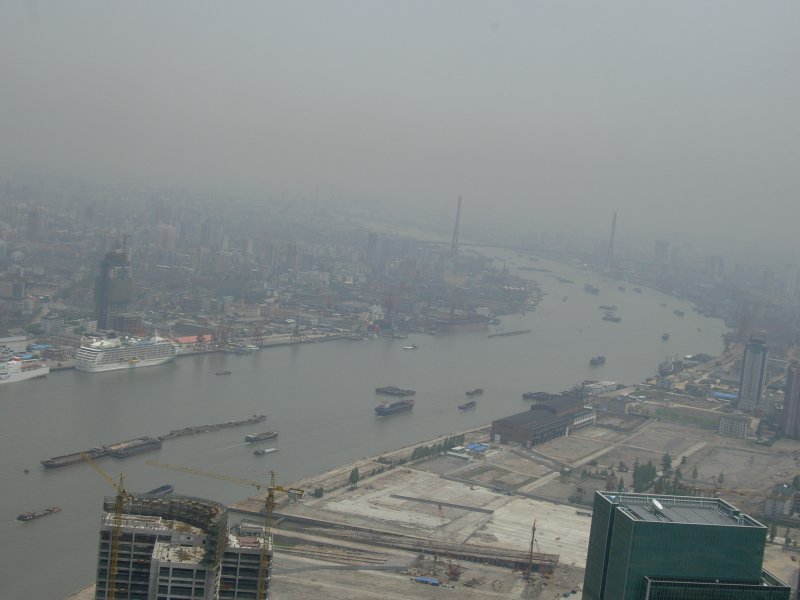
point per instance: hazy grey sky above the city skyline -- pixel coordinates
(681, 115)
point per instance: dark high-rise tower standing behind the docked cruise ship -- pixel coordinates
(113, 286)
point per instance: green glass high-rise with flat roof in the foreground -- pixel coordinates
(649, 547)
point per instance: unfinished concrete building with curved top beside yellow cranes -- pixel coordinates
(170, 547)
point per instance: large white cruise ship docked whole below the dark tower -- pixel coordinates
(124, 353)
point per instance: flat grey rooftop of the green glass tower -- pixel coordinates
(680, 509)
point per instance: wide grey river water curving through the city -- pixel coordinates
(319, 396)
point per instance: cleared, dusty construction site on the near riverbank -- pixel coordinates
(500, 521)
